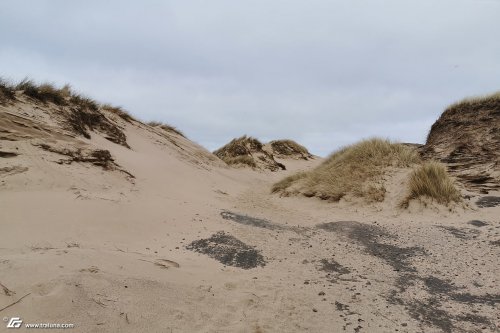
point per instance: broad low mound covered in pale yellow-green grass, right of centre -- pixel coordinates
(355, 170)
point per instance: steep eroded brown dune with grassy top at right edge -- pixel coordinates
(467, 137)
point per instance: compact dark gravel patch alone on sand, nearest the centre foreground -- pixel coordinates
(228, 250)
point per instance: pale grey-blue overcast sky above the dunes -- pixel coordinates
(325, 73)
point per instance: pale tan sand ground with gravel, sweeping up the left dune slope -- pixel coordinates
(166, 238)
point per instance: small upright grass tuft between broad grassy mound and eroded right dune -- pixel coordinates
(431, 180)
